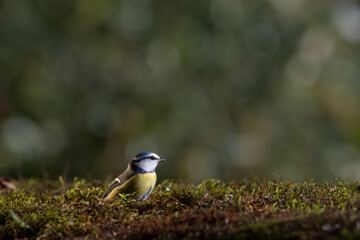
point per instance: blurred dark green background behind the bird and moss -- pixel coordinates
(221, 88)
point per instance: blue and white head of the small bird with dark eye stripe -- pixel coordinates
(145, 162)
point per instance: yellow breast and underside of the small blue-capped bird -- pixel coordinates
(141, 185)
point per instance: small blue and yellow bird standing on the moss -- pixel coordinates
(139, 178)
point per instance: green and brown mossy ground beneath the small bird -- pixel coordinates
(256, 209)
